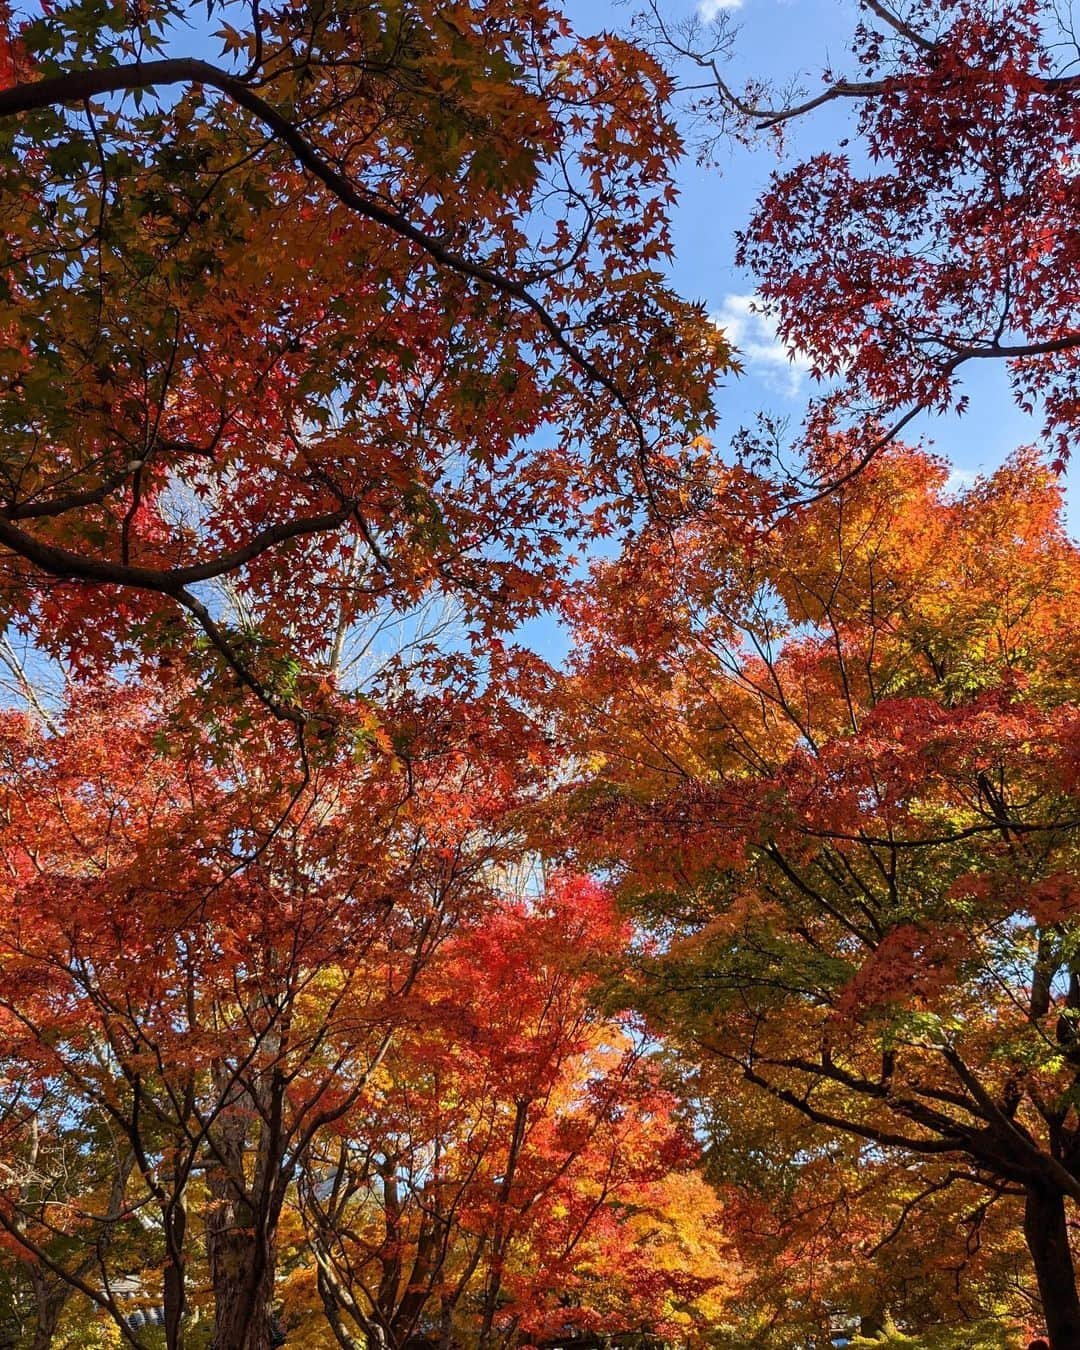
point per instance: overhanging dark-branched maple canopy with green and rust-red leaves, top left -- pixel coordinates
(369, 308)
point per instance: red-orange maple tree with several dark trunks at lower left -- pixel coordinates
(215, 988)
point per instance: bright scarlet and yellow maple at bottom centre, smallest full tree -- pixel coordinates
(516, 1171)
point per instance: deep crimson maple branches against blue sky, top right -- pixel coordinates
(940, 234)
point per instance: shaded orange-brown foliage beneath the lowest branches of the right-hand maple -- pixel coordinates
(836, 1240)
